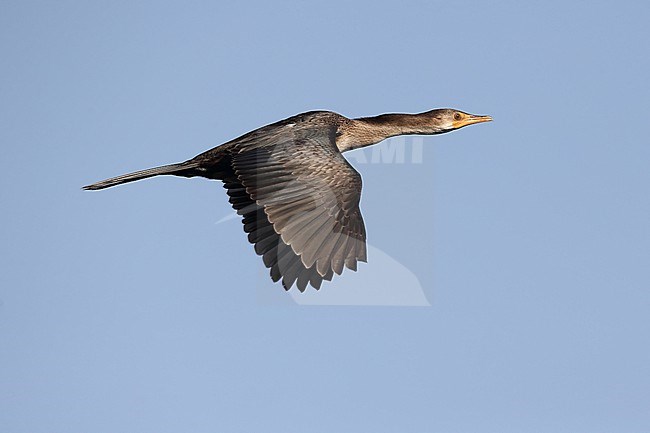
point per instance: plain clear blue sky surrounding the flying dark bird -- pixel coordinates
(133, 310)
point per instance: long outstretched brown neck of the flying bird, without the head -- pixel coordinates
(366, 131)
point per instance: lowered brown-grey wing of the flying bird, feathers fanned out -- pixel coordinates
(299, 199)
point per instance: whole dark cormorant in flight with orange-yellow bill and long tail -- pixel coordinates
(296, 193)
